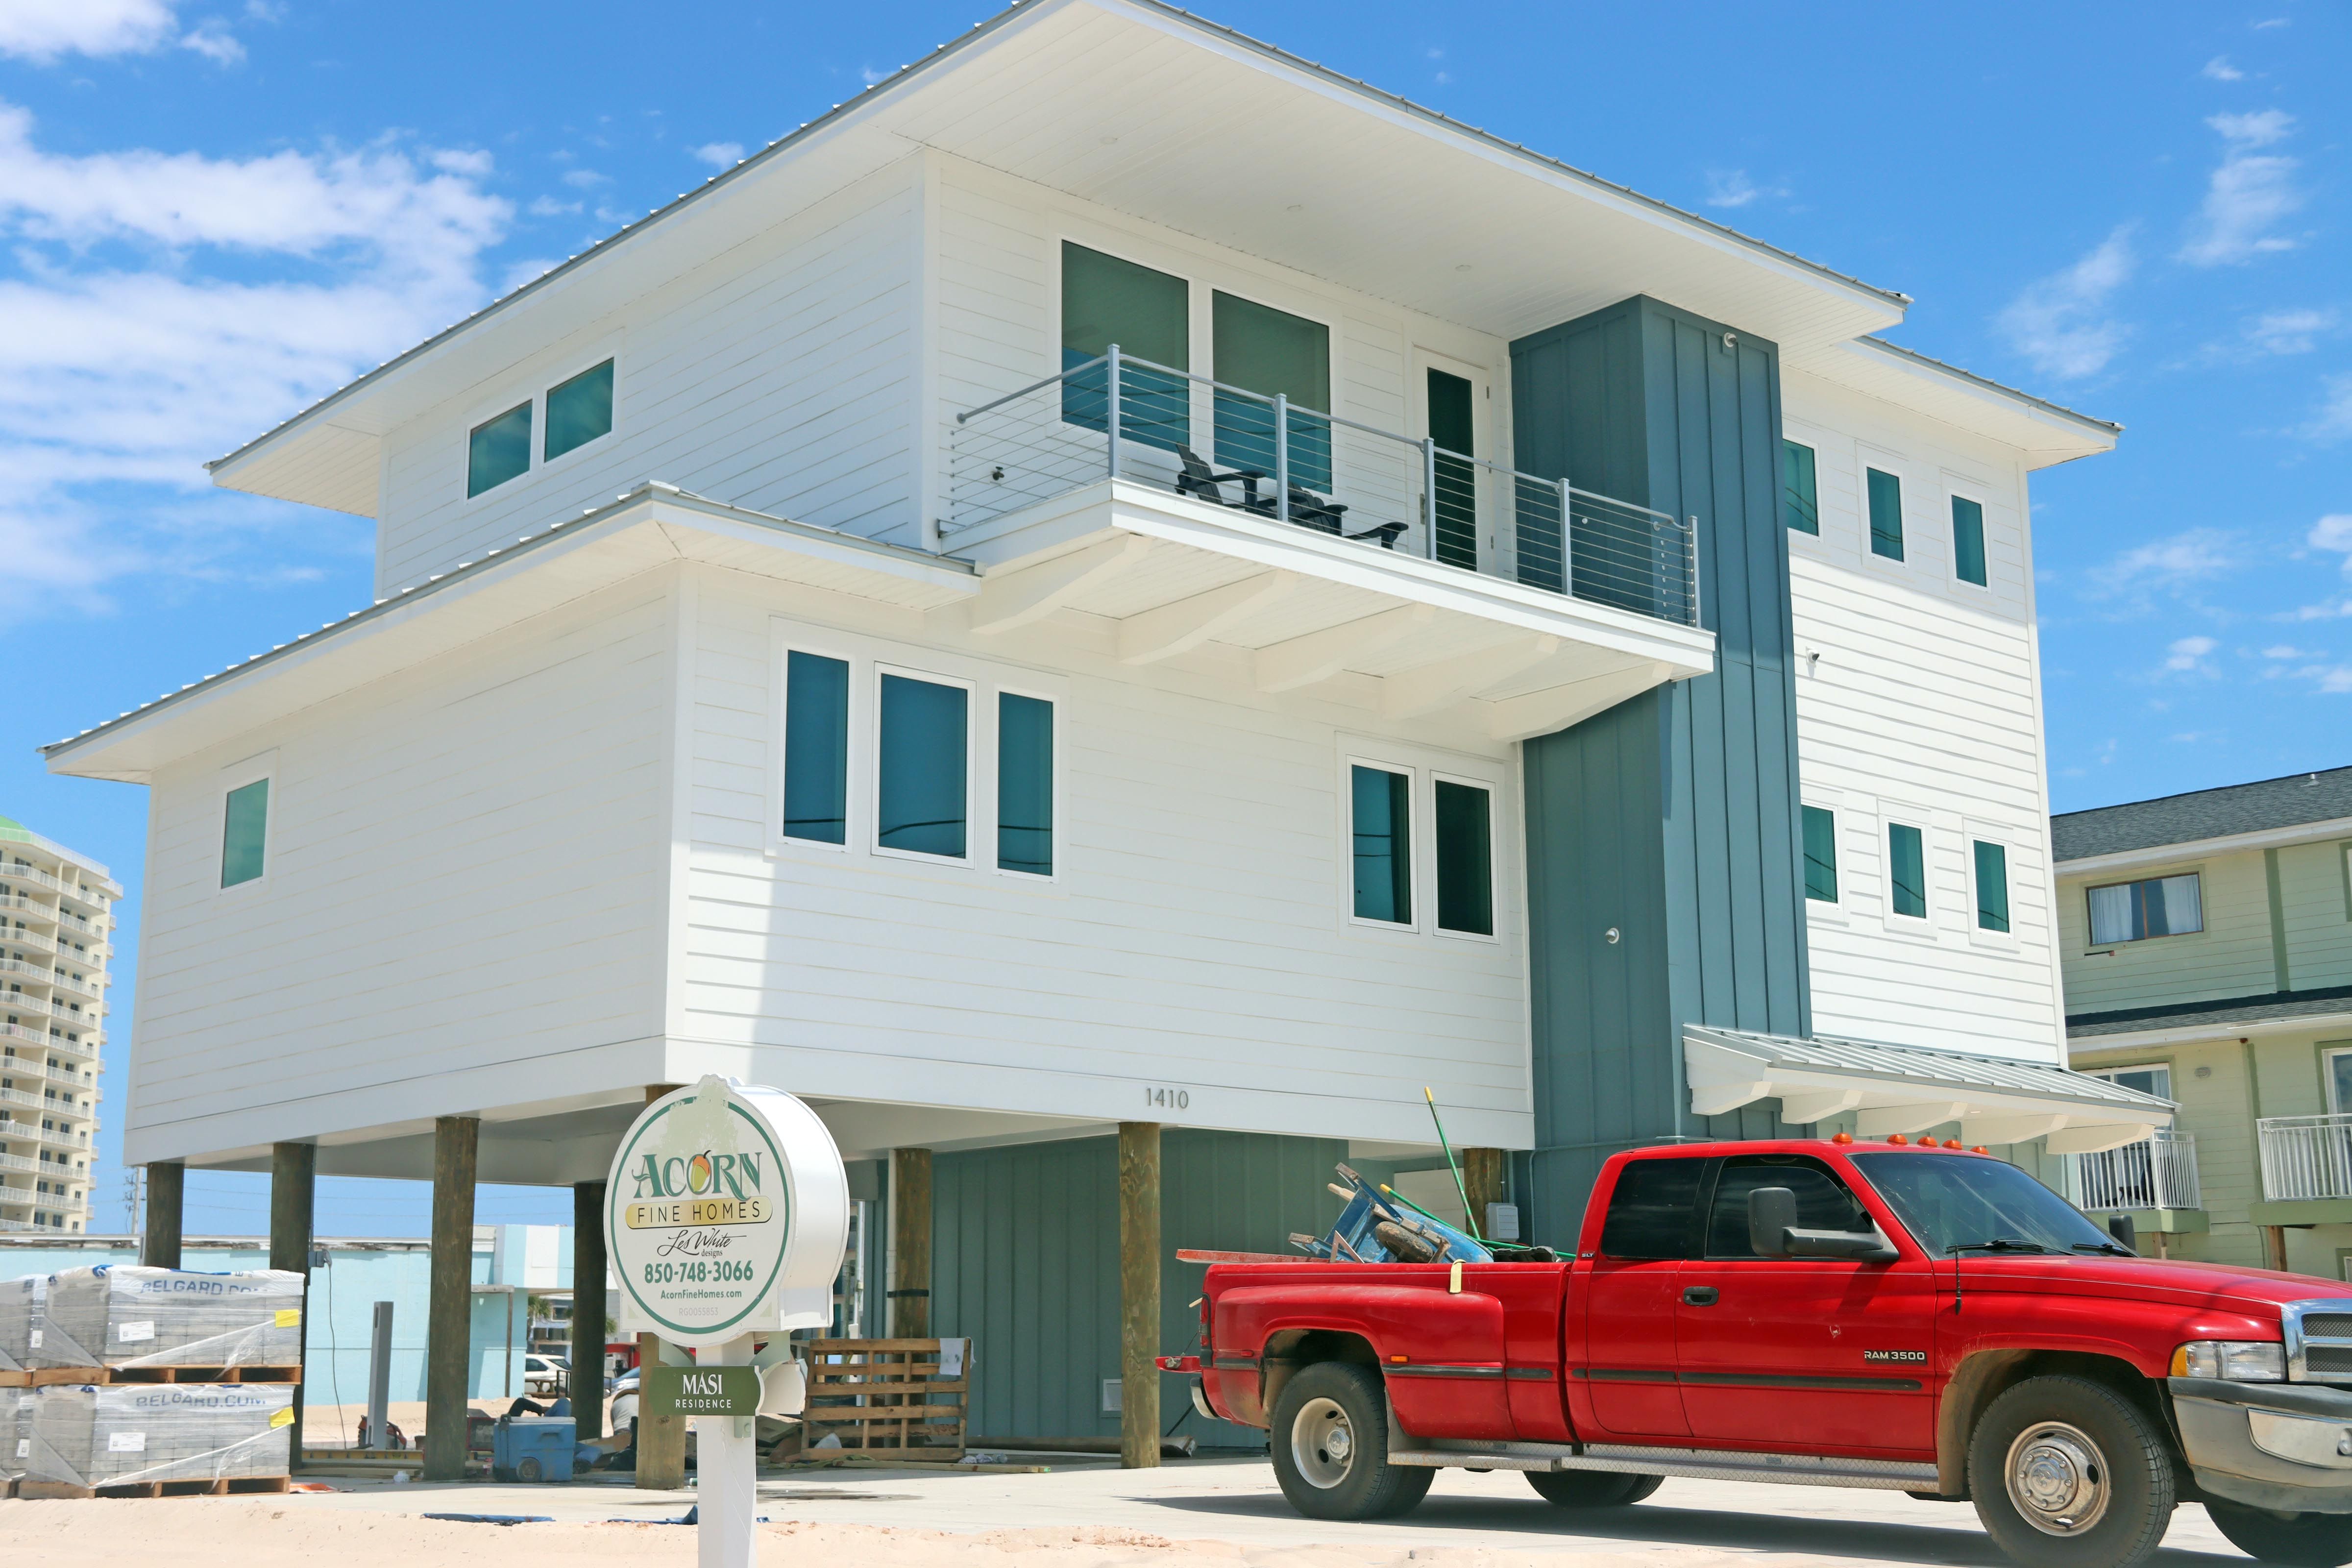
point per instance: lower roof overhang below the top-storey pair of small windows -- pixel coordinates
(636, 532)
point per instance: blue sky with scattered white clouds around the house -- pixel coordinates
(218, 213)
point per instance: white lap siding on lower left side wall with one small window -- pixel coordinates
(465, 871)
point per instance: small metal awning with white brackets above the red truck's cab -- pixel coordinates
(1906, 1090)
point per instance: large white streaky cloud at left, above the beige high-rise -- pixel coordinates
(166, 307)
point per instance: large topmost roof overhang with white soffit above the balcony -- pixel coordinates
(1144, 109)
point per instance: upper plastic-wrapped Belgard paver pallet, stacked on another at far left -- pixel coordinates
(131, 1315)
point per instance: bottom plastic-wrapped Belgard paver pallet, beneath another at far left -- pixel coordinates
(81, 1435)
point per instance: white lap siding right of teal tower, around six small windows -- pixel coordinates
(1923, 709)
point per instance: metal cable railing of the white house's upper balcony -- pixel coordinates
(1224, 445)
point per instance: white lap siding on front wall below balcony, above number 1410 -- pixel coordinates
(1196, 932)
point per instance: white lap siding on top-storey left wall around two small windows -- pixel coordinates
(775, 377)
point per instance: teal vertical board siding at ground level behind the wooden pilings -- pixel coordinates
(1027, 1261)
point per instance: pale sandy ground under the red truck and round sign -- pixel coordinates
(1196, 1515)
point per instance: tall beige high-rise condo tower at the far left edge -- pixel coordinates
(55, 939)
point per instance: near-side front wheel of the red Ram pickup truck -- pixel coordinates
(2071, 1475)
